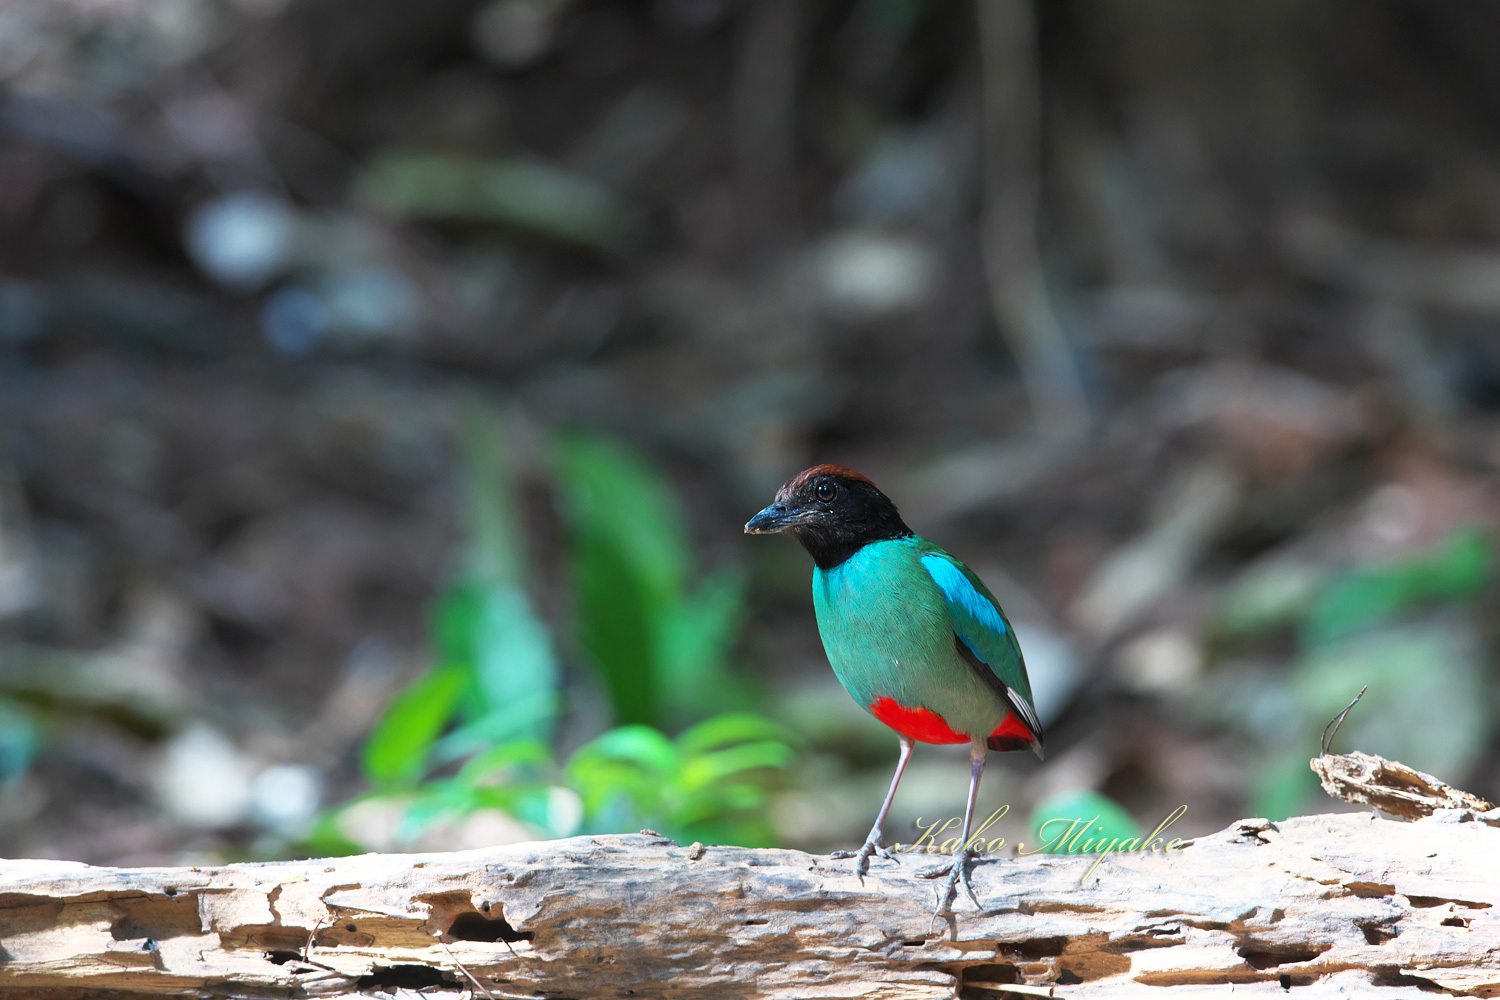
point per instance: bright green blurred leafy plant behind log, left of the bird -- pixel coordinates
(476, 731)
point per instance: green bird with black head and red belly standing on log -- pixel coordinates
(913, 635)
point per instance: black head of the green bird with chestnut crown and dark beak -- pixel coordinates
(833, 512)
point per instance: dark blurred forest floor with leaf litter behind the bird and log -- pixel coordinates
(1177, 322)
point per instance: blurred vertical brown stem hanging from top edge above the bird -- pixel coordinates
(1012, 154)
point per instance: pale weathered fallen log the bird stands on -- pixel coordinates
(1348, 905)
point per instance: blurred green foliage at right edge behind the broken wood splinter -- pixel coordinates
(1403, 627)
